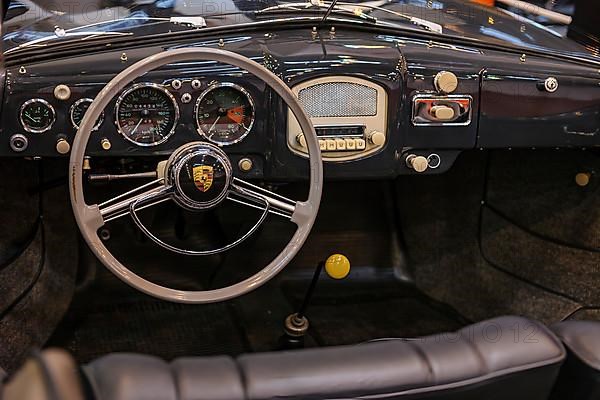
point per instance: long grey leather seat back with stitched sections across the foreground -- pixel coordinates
(503, 358)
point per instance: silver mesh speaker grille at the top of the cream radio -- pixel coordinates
(339, 99)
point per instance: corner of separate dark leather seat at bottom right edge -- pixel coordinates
(579, 377)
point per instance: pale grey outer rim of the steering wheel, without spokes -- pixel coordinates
(88, 217)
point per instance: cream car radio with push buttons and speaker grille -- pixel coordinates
(349, 115)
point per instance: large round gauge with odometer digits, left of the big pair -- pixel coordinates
(146, 114)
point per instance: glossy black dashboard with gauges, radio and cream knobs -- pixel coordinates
(381, 105)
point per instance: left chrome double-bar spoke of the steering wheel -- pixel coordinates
(144, 196)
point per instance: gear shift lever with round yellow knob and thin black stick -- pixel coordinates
(337, 266)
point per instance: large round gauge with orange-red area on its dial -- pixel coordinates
(224, 113)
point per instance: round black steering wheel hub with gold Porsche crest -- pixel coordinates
(200, 174)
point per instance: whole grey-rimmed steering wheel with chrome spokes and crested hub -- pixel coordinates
(197, 176)
